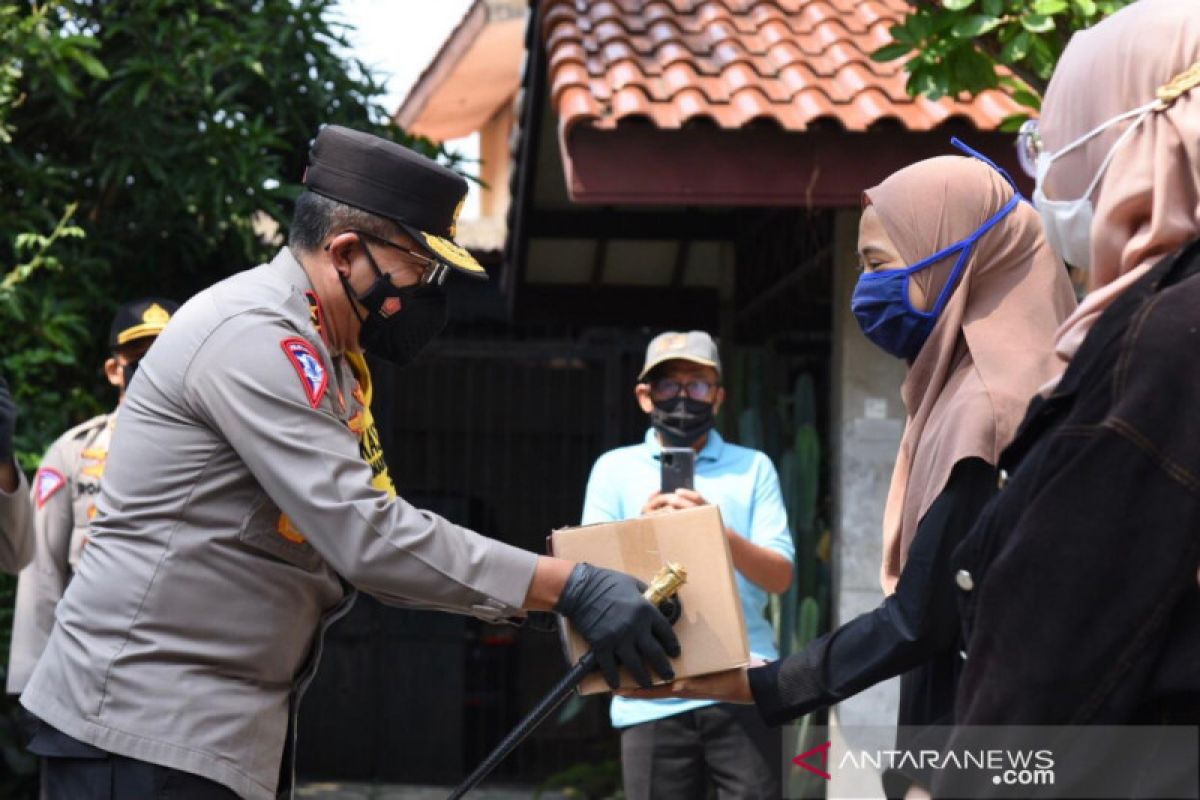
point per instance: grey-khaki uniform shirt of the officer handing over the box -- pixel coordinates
(237, 507)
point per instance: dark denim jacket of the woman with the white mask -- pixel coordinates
(1079, 584)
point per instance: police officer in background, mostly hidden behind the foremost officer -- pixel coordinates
(67, 488)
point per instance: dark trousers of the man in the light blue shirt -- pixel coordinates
(682, 757)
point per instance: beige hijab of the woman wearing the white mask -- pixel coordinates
(1148, 203)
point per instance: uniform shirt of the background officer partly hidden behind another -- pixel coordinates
(64, 503)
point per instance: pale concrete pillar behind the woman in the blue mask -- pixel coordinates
(868, 420)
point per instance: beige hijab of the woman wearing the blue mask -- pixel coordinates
(969, 387)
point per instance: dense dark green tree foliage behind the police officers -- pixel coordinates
(145, 143)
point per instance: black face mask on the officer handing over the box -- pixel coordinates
(398, 334)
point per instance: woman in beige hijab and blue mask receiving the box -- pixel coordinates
(959, 281)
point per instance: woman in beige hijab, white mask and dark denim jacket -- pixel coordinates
(1087, 606)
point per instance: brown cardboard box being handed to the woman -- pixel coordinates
(712, 631)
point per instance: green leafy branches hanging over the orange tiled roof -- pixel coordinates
(969, 46)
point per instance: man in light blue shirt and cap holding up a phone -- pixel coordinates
(676, 748)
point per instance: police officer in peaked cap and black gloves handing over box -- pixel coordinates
(245, 500)
